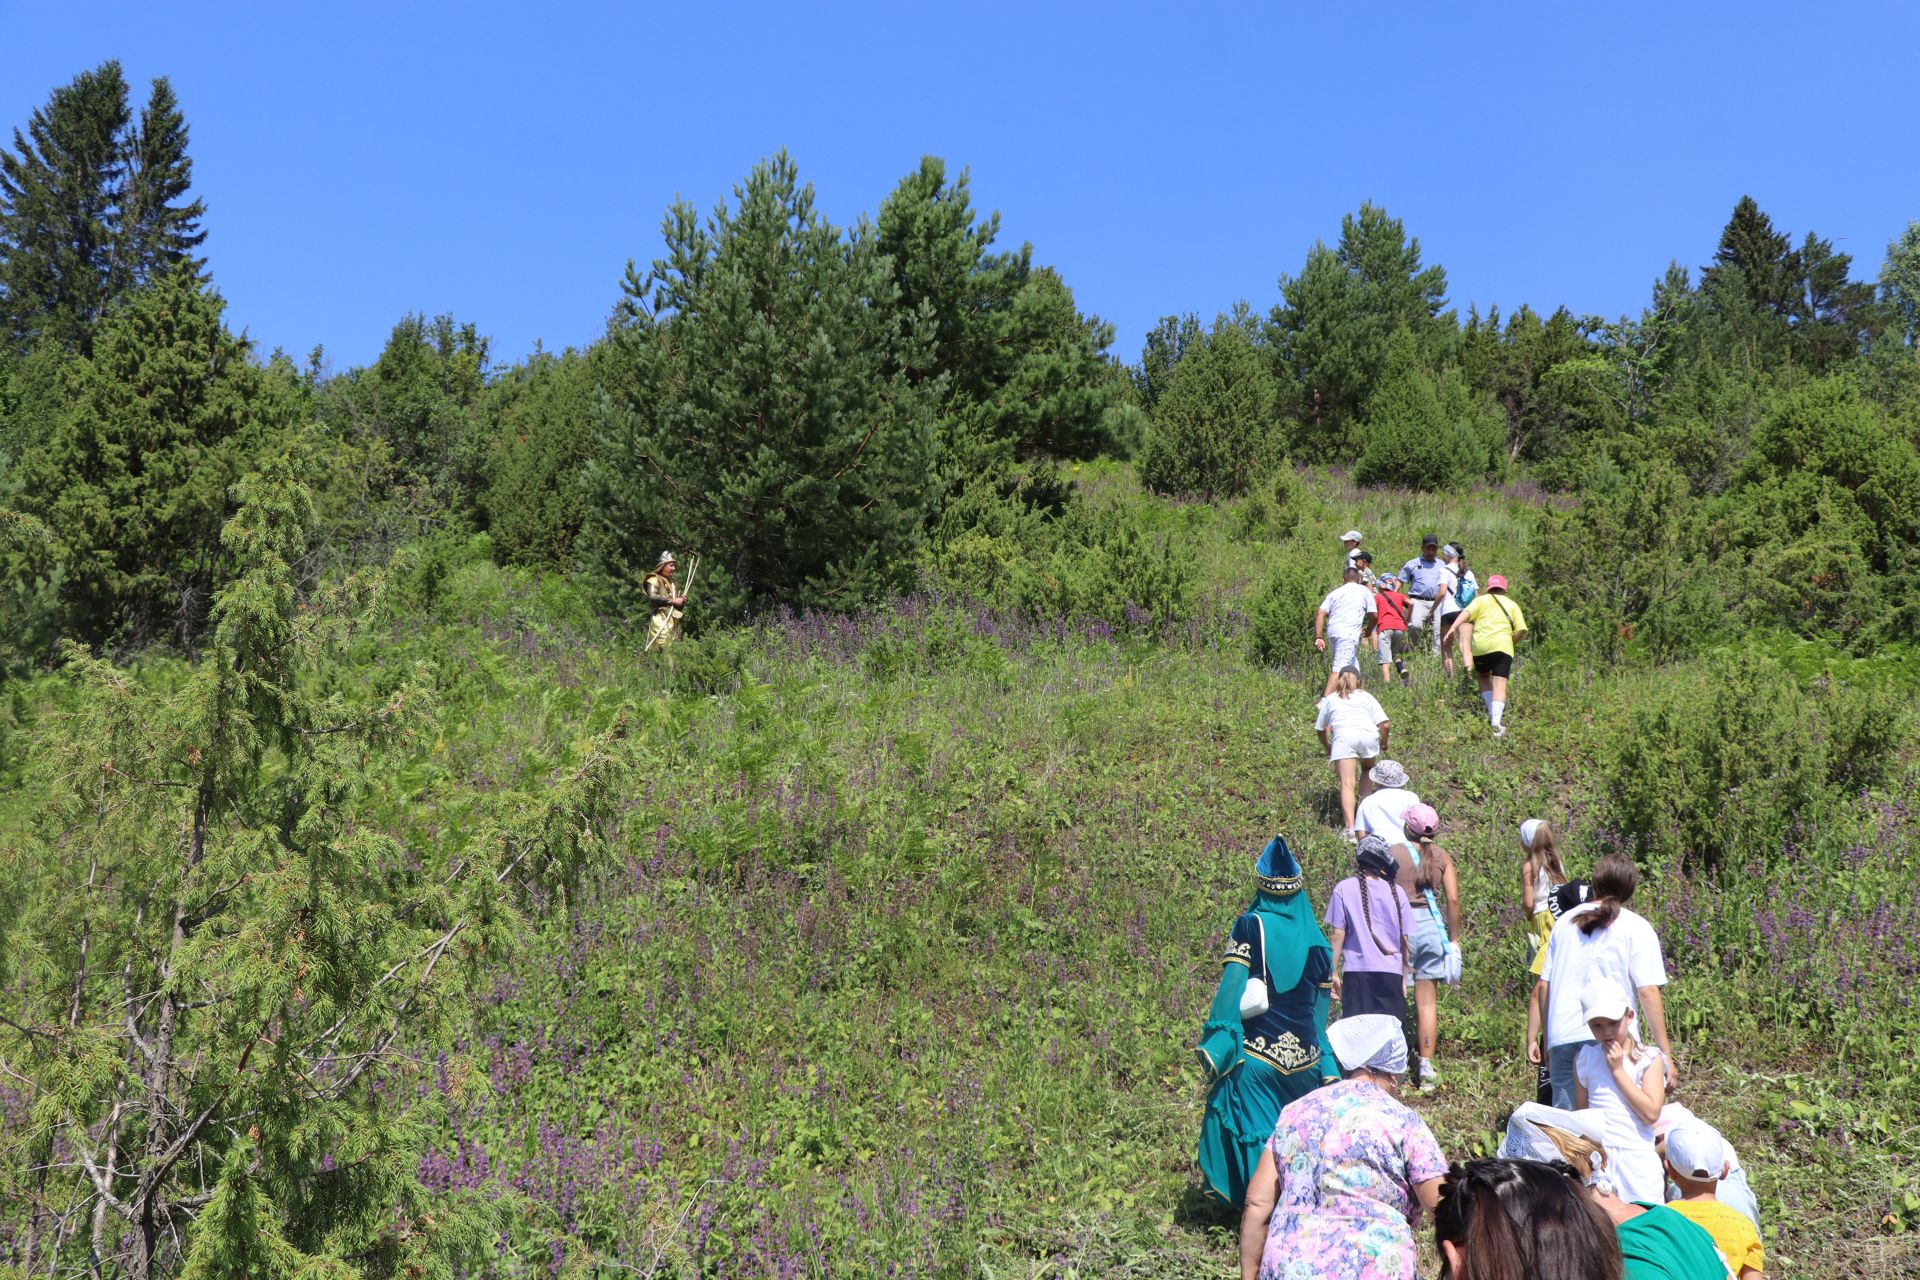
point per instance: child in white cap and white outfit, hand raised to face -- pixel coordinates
(1625, 1083)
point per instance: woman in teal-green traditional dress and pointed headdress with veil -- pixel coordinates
(1260, 1060)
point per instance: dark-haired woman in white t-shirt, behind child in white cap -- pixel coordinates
(1596, 939)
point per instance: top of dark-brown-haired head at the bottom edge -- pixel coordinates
(1522, 1220)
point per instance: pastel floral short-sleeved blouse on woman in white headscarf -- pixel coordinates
(1349, 1158)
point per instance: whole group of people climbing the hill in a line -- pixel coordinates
(1307, 1126)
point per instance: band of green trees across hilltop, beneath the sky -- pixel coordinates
(834, 414)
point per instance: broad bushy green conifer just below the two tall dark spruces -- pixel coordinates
(133, 479)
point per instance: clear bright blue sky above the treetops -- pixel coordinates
(504, 162)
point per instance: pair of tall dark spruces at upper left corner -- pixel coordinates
(91, 208)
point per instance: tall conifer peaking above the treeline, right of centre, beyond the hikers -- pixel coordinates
(1337, 320)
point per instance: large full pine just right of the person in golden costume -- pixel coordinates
(773, 417)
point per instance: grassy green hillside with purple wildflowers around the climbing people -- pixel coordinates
(917, 916)
